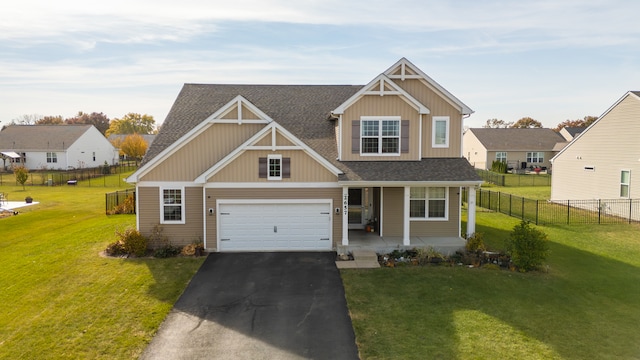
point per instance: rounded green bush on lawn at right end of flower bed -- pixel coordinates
(527, 246)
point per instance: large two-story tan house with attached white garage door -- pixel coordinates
(296, 167)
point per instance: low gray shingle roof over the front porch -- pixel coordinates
(435, 170)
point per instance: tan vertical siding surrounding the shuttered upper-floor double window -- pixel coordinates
(374, 105)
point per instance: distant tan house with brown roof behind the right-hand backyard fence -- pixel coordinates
(519, 148)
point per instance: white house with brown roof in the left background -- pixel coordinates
(57, 147)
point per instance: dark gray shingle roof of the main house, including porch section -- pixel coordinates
(303, 110)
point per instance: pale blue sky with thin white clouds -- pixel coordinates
(549, 60)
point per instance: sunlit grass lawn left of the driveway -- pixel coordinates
(59, 298)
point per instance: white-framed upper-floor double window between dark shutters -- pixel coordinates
(380, 135)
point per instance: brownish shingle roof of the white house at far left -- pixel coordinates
(40, 137)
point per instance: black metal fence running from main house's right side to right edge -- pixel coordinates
(543, 212)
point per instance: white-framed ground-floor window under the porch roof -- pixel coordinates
(428, 203)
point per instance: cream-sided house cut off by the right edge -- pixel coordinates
(603, 162)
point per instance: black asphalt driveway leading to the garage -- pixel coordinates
(259, 306)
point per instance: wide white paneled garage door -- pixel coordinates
(274, 227)
